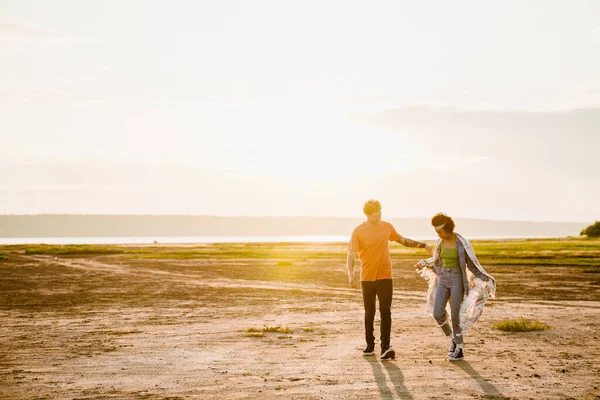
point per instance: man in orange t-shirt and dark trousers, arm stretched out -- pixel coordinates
(370, 241)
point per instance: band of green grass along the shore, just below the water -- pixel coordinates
(574, 251)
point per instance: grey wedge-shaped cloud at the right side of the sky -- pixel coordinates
(562, 141)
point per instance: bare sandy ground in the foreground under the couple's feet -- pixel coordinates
(115, 328)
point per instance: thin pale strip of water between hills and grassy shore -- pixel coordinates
(212, 239)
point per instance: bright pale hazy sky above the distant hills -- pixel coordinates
(264, 108)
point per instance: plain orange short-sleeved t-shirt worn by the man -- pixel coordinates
(371, 243)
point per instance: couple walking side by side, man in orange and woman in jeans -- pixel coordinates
(452, 272)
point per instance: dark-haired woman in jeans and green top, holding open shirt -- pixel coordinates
(452, 273)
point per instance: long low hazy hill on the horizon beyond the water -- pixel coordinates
(29, 226)
